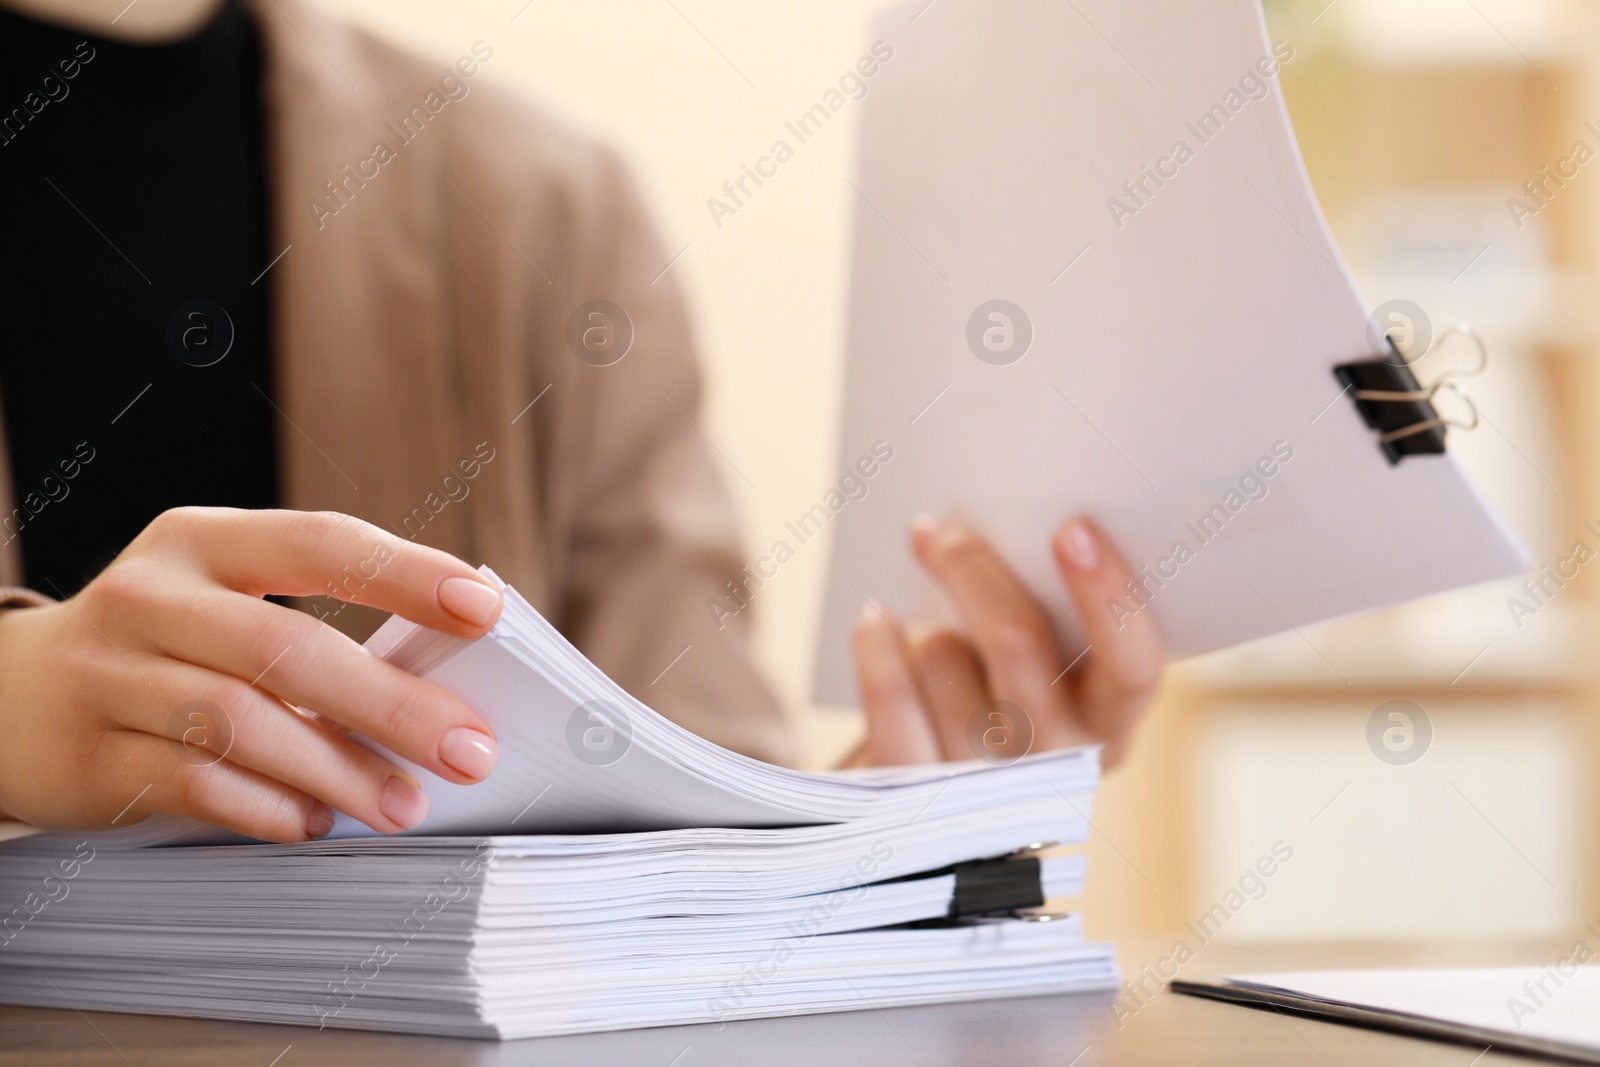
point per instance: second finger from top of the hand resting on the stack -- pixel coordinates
(298, 660)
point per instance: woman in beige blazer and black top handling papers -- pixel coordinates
(295, 314)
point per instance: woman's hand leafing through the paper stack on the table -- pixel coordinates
(170, 685)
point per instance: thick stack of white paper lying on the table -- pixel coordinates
(655, 879)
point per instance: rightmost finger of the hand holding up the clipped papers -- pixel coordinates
(1124, 666)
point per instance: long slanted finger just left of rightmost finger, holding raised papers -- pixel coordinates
(1014, 639)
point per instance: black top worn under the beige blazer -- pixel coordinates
(135, 362)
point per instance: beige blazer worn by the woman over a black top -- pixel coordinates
(423, 305)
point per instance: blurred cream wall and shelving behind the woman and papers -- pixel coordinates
(1418, 121)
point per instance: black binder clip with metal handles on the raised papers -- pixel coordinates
(1393, 402)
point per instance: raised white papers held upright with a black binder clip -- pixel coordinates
(1090, 276)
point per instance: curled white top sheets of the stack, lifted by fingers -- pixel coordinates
(534, 687)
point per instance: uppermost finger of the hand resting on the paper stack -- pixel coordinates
(306, 554)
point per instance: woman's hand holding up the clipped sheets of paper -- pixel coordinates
(1004, 689)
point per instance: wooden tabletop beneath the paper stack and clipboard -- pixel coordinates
(1044, 1031)
